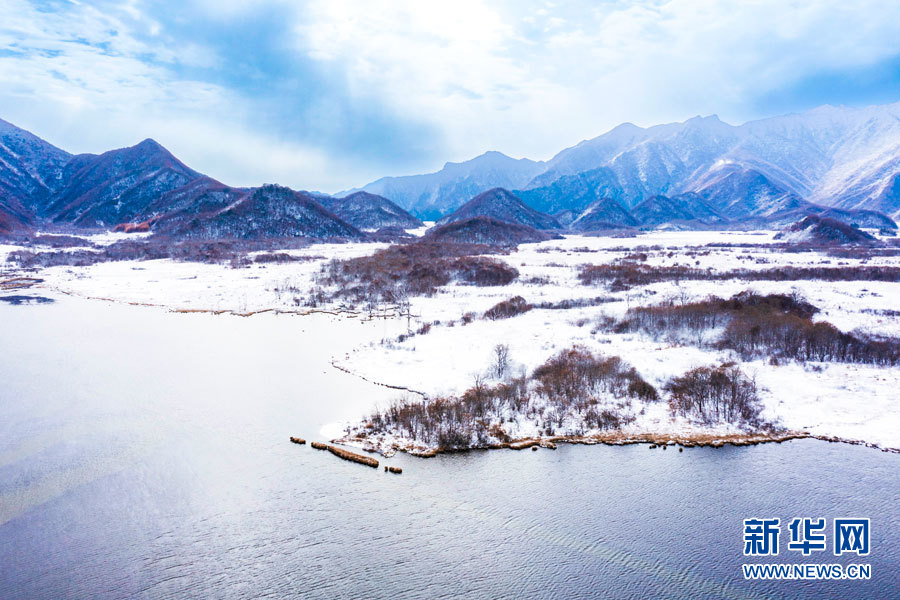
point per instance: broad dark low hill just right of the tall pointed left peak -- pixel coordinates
(270, 211)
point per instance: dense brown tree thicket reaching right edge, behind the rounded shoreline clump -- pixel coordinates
(755, 325)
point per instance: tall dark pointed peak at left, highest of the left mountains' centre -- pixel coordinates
(117, 186)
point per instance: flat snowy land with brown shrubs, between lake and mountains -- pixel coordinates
(668, 336)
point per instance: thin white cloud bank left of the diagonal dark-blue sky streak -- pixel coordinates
(88, 91)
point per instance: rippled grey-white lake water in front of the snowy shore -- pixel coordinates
(145, 454)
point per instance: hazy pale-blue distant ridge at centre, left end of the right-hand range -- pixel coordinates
(433, 195)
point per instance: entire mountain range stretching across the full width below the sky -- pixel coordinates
(835, 162)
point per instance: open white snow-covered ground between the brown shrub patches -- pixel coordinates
(850, 401)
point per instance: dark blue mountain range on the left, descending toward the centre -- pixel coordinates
(144, 187)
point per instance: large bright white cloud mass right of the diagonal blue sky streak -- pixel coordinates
(530, 80)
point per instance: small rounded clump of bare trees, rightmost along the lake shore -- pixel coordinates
(716, 395)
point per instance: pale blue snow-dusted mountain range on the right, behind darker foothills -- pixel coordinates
(841, 157)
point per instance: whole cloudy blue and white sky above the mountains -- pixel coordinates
(328, 95)
